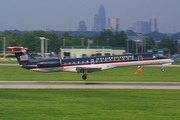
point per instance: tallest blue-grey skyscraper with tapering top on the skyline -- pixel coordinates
(100, 20)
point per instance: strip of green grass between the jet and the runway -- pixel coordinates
(15, 73)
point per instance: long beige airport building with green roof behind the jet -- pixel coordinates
(85, 51)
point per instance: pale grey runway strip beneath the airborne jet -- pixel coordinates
(87, 85)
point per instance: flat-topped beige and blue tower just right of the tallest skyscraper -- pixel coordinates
(113, 23)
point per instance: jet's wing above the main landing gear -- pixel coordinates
(87, 69)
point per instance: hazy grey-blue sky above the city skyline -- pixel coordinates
(65, 15)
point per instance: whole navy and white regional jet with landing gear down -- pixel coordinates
(88, 64)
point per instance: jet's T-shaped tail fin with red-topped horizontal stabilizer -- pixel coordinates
(22, 55)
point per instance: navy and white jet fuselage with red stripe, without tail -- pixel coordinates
(103, 62)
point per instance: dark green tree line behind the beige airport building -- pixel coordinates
(31, 40)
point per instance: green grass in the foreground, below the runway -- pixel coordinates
(89, 104)
